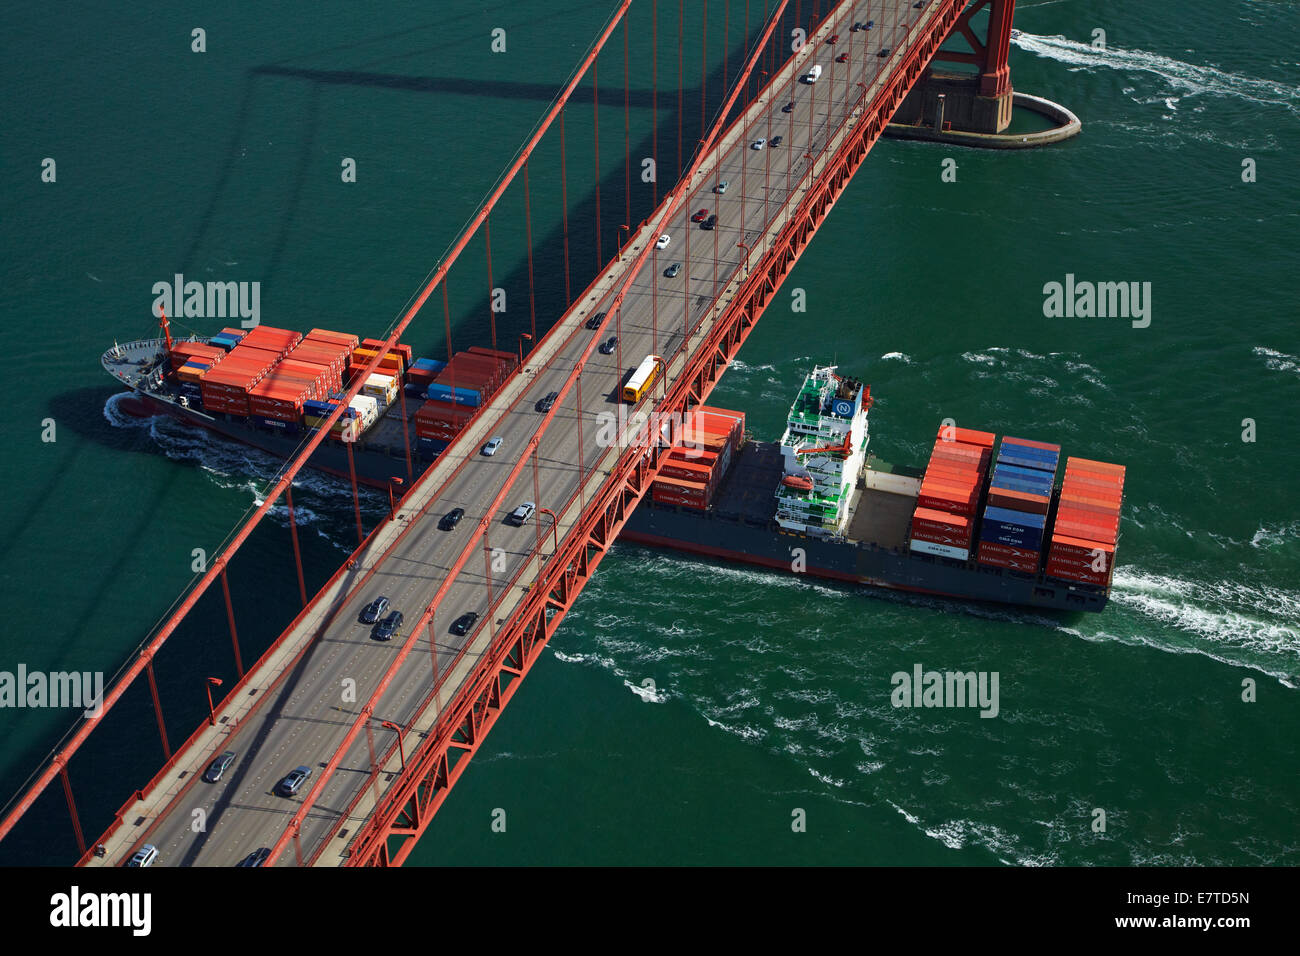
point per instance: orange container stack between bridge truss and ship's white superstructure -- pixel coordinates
(697, 462)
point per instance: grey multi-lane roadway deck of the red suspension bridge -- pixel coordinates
(296, 712)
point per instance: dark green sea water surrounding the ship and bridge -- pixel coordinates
(768, 695)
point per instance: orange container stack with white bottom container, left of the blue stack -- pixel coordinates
(950, 494)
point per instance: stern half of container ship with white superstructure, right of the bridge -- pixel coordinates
(983, 521)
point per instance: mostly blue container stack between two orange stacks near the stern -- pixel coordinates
(1020, 495)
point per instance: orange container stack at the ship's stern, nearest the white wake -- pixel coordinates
(1087, 522)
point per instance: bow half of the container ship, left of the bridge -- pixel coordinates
(275, 388)
